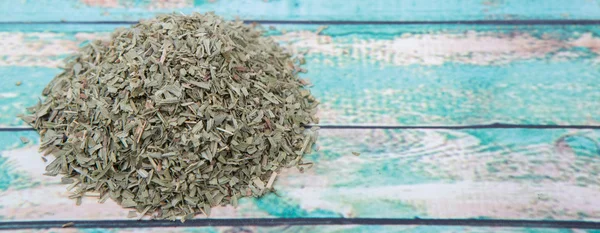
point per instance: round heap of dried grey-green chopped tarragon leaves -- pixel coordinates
(176, 115)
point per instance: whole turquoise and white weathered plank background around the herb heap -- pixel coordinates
(476, 62)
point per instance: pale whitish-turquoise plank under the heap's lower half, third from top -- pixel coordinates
(516, 174)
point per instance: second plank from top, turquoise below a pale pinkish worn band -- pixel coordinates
(390, 75)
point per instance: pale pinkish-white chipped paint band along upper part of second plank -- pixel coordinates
(471, 47)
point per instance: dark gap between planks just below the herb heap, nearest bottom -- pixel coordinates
(302, 222)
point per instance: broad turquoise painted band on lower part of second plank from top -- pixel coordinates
(527, 92)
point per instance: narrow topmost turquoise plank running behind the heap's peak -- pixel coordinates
(384, 10)
